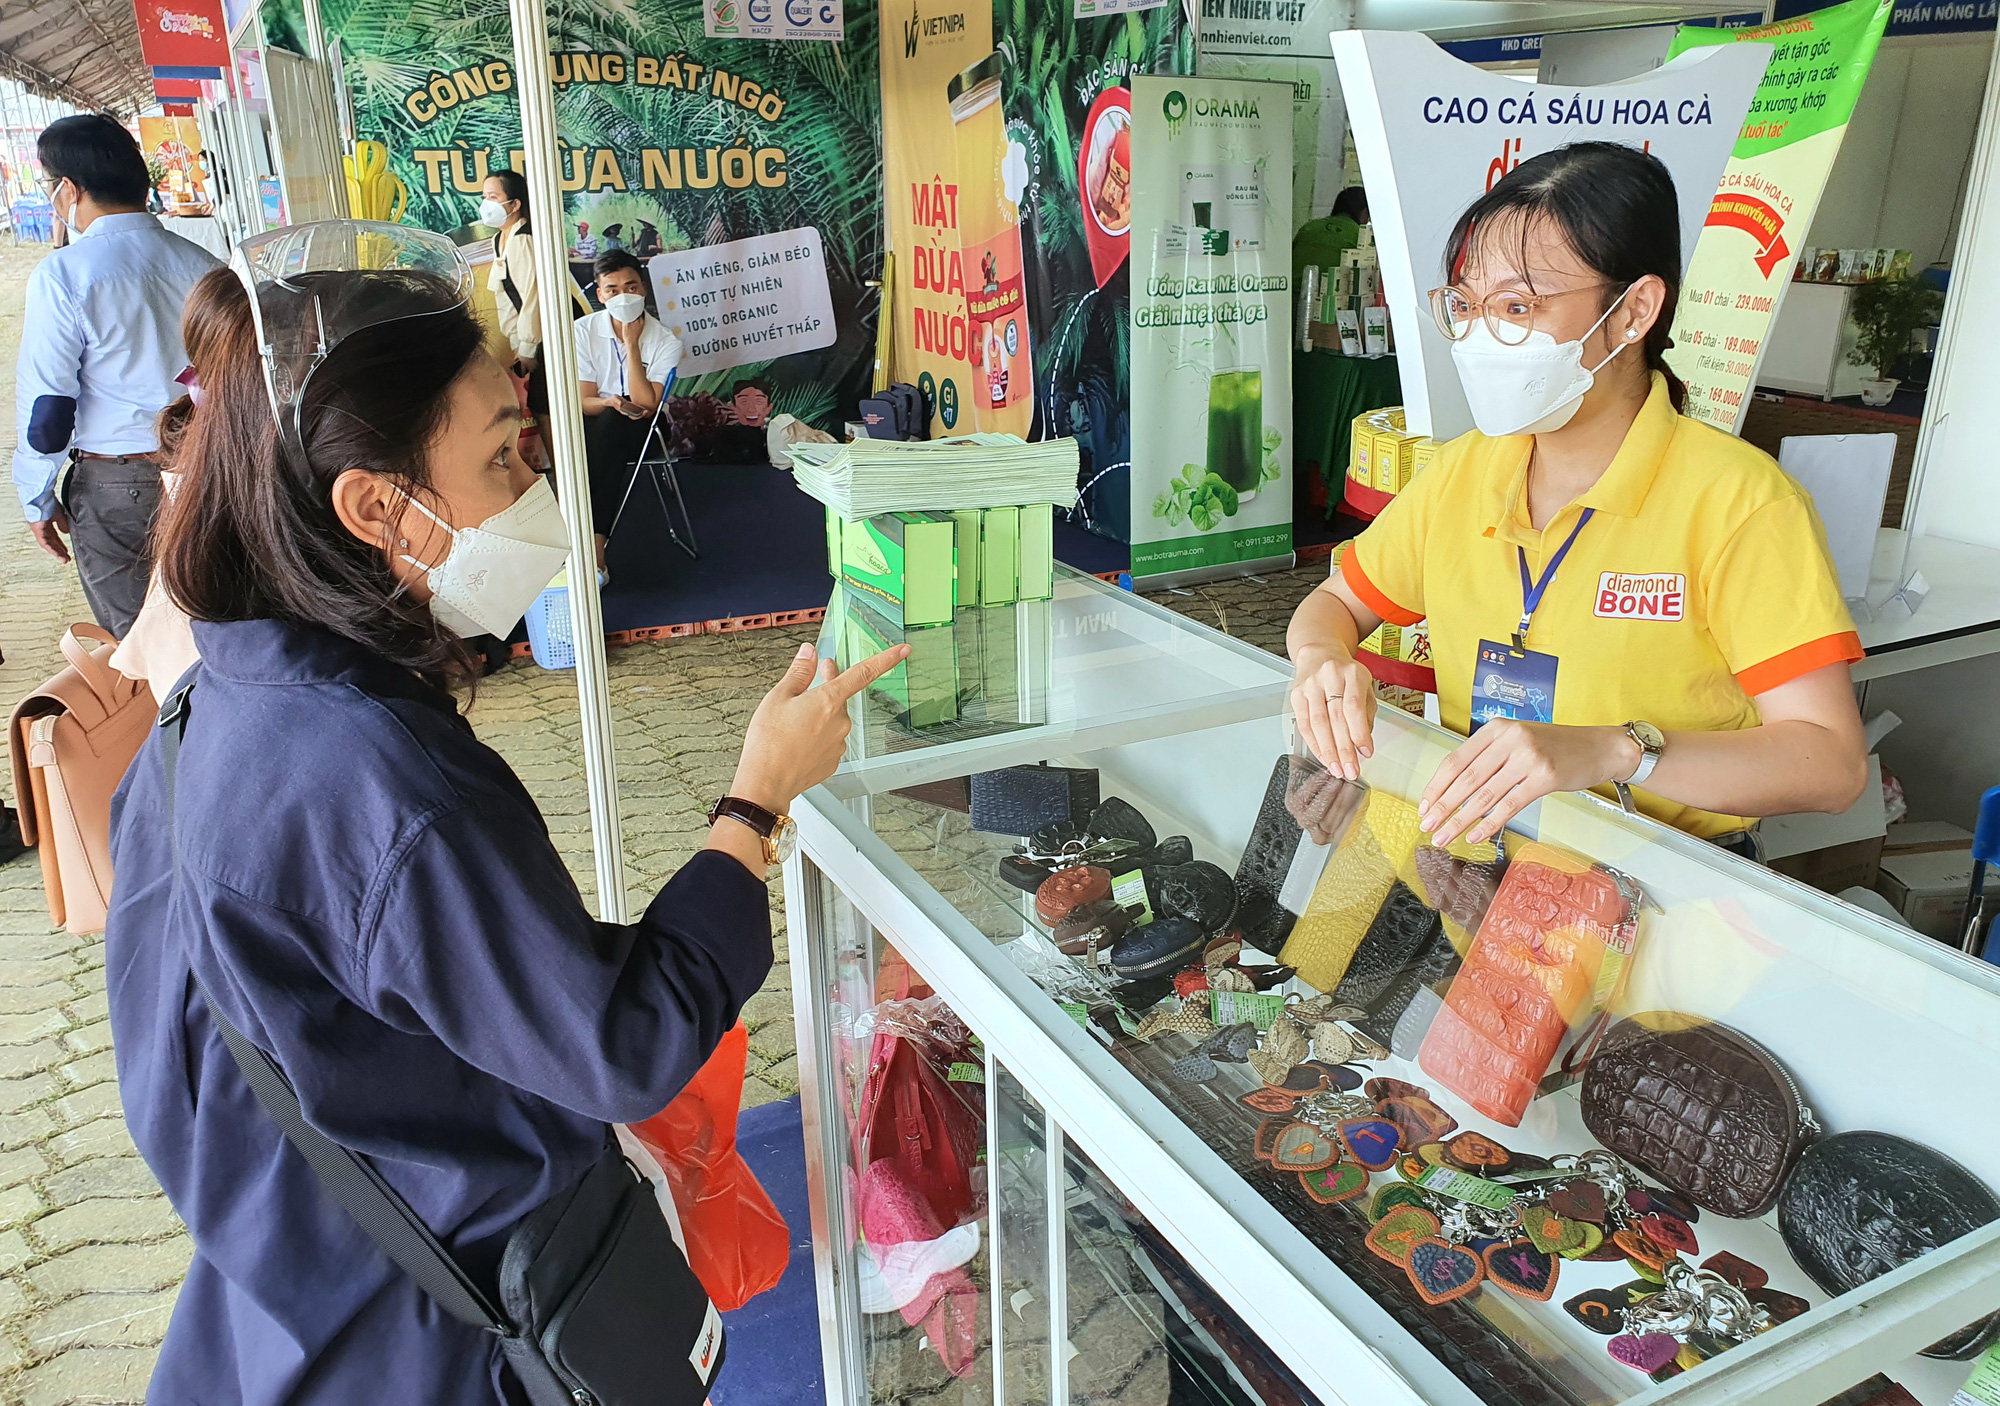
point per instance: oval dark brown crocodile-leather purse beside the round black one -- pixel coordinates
(1703, 1107)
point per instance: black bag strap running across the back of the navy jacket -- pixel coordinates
(347, 1177)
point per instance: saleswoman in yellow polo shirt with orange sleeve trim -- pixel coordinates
(1617, 595)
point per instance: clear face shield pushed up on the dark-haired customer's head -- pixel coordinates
(317, 285)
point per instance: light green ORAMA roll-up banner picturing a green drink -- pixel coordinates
(1211, 327)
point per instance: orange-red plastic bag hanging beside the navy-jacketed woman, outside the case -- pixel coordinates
(737, 1241)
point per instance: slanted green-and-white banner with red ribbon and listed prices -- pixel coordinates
(1769, 195)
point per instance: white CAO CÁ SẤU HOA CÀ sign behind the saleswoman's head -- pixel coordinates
(1435, 133)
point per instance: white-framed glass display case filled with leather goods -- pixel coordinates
(1147, 1063)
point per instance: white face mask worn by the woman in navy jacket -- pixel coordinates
(497, 569)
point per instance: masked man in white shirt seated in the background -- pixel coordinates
(623, 361)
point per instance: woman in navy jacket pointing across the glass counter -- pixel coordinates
(367, 889)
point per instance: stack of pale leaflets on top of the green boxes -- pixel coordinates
(973, 471)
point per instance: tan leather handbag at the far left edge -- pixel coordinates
(73, 741)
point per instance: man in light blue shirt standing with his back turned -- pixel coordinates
(99, 361)
